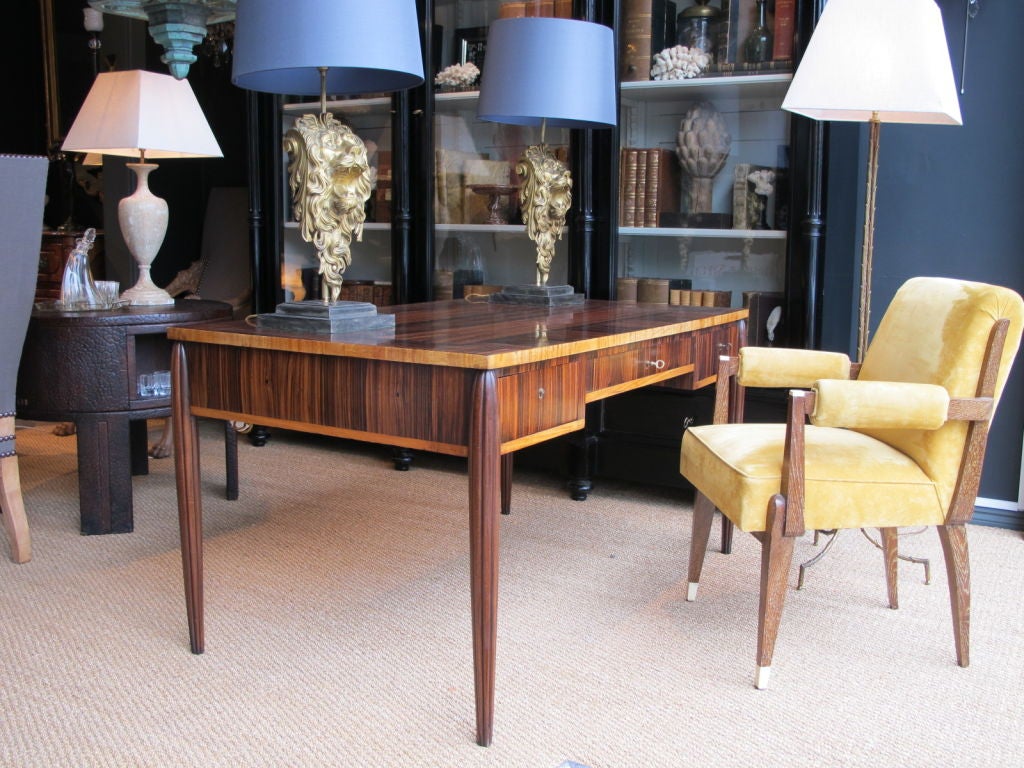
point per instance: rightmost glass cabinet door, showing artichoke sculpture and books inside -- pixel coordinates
(705, 198)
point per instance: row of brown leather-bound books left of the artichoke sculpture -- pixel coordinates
(650, 186)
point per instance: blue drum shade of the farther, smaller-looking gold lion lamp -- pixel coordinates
(540, 68)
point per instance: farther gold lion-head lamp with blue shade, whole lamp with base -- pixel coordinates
(544, 71)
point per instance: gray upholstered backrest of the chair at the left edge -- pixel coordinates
(23, 186)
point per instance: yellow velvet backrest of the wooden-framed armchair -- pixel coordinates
(936, 331)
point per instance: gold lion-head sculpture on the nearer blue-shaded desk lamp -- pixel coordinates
(330, 180)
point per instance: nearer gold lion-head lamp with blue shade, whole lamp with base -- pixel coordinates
(340, 48)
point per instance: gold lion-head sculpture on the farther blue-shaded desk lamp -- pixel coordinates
(547, 195)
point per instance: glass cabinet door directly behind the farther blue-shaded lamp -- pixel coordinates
(480, 239)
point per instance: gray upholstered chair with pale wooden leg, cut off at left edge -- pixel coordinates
(23, 189)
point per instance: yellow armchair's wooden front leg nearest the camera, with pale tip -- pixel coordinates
(777, 558)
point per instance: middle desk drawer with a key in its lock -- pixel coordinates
(618, 369)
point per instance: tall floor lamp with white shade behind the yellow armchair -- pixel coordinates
(876, 62)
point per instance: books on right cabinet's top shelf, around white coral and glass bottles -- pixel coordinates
(651, 26)
